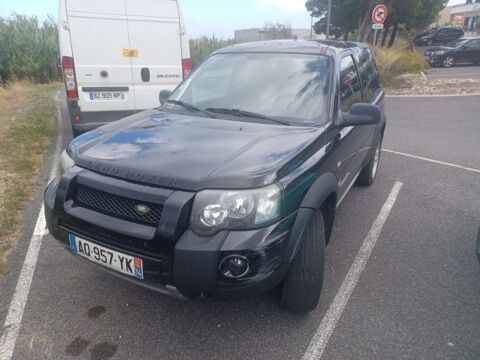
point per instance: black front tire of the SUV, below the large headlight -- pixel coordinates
(302, 285)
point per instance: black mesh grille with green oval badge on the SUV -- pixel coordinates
(119, 206)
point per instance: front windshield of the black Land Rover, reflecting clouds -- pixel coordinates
(291, 88)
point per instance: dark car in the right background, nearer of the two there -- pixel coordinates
(463, 50)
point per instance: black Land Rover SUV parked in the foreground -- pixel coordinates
(230, 188)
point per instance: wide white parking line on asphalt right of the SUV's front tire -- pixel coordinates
(336, 308)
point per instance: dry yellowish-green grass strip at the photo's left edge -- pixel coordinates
(26, 131)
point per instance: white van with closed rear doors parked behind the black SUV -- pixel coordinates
(117, 55)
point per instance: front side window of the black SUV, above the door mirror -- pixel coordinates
(350, 90)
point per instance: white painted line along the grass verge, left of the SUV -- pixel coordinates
(17, 305)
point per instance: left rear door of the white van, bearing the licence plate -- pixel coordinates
(99, 35)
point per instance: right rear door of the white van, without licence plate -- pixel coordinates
(154, 32)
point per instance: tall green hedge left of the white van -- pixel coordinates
(28, 49)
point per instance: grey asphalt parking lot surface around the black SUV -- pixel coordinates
(418, 296)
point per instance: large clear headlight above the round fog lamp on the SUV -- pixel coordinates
(215, 210)
